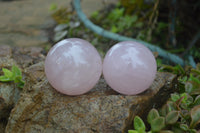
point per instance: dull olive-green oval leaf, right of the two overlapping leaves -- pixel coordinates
(172, 117)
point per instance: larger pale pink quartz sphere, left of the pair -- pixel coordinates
(73, 66)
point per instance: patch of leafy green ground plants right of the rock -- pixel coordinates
(181, 113)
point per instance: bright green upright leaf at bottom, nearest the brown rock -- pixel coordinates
(139, 124)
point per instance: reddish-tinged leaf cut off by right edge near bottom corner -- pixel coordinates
(195, 115)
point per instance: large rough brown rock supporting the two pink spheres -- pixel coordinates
(42, 109)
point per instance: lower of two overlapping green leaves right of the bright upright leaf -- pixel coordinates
(157, 124)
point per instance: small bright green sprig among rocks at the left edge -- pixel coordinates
(14, 75)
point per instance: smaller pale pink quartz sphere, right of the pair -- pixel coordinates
(129, 67)
